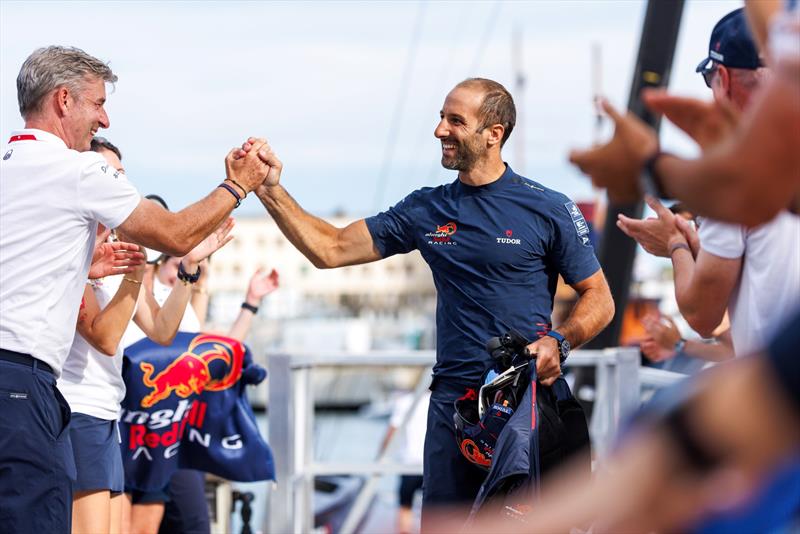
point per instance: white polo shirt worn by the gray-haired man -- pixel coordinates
(51, 198)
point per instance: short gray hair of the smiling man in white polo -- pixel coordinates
(48, 68)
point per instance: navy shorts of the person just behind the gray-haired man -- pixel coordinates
(98, 460)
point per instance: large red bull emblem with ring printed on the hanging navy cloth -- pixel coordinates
(190, 373)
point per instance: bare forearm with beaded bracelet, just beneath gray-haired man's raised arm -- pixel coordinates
(105, 331)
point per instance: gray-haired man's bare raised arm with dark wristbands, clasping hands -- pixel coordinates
(178, 233)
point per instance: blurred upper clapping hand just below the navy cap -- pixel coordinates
(707, 123)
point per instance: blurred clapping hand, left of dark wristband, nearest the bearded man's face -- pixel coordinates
(617, 164)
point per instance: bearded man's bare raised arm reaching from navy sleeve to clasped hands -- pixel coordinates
(325, 245)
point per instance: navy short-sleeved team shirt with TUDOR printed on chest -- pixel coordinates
(495, 252)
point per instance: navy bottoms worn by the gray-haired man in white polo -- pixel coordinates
(36, 461)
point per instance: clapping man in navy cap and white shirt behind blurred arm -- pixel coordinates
(754, 273)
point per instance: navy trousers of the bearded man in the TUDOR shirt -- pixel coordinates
(448, 478)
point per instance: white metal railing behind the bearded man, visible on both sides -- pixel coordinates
(619, 378)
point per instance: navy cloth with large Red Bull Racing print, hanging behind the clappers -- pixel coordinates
(185, 407)
